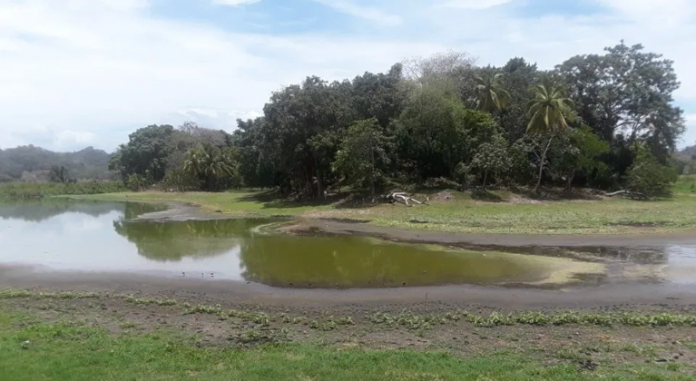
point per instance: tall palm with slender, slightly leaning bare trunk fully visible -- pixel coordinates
(549, 112)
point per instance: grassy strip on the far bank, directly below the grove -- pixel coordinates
(465, 213)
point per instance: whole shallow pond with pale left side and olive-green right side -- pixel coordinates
(100, 237)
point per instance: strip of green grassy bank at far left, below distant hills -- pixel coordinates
(12, 192)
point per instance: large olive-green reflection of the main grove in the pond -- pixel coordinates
(350, 262)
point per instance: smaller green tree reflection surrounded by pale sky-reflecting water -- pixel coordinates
(172, 241)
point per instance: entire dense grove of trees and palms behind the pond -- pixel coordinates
(605, 121)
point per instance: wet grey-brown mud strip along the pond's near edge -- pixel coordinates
(209, 291)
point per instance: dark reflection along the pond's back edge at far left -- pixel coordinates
(41, 211)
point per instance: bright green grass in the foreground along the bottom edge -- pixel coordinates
(60, 351)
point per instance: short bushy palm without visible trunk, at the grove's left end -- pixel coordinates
(208, 164)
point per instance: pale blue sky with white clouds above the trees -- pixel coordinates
(77, 73)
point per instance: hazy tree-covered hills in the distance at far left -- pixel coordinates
(30, 163)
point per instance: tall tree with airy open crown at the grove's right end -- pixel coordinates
(628, 93)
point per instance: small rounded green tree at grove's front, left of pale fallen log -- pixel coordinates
(362, 157)
